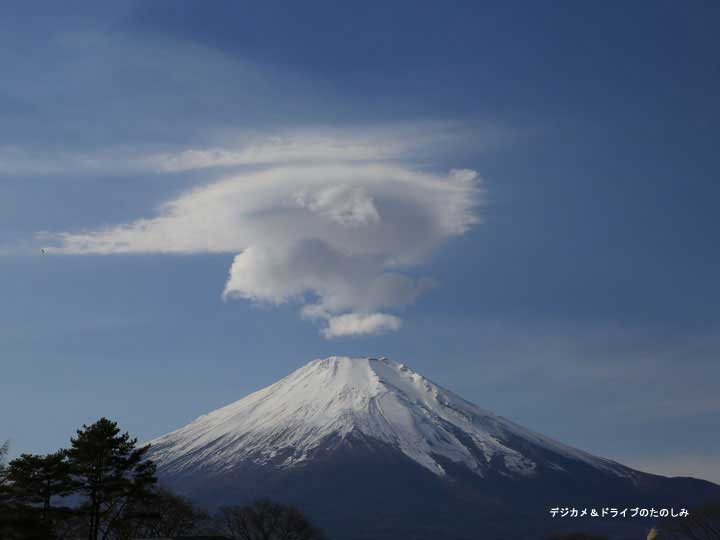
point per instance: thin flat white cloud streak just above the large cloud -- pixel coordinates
(237, 148)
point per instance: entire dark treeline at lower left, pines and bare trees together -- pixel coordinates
(103, 487)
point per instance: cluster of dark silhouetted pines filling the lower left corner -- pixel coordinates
(106, 476)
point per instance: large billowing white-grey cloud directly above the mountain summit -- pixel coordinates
(335, 239)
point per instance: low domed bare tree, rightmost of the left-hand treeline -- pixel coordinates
(267, 520)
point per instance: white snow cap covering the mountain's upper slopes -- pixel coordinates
(327, 400)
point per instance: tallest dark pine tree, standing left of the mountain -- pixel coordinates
(110, 472)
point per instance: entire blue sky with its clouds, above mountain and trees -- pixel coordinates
(569, 282)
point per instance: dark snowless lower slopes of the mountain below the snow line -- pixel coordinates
(361, 489)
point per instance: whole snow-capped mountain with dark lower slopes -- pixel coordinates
(371, 449)
